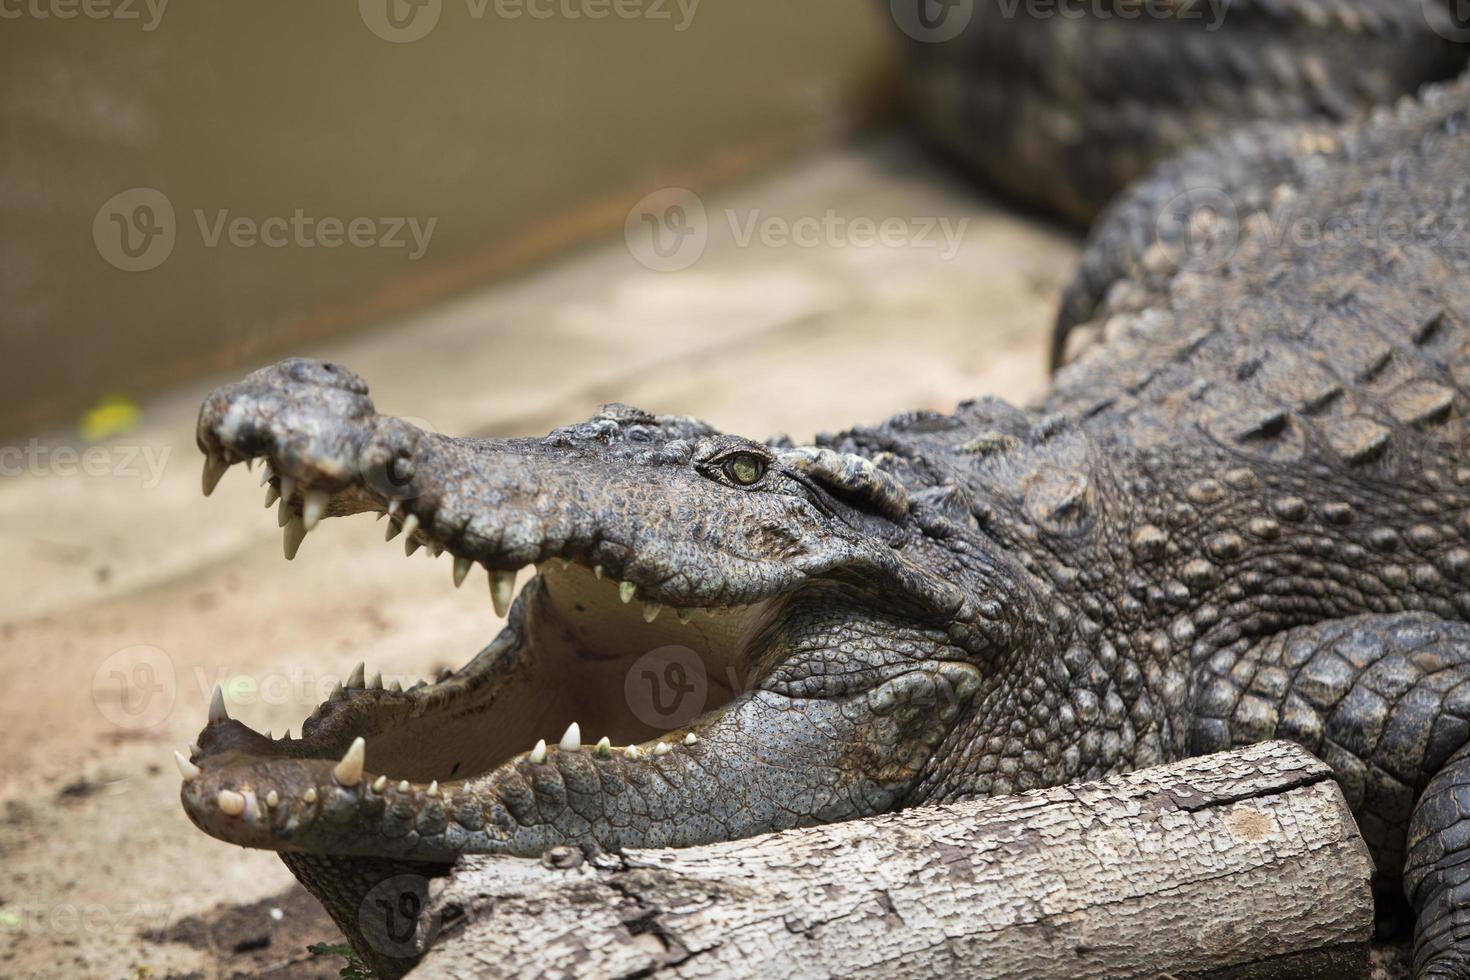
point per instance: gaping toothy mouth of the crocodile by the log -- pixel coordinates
(590, 665)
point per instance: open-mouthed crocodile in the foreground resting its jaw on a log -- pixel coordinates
(1241, 514)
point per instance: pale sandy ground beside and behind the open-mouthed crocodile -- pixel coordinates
(129, 596)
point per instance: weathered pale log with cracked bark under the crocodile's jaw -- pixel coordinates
(1243, 865)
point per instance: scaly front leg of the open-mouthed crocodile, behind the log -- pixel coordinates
(1384, 700)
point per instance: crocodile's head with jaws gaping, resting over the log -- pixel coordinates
(723, 637)
